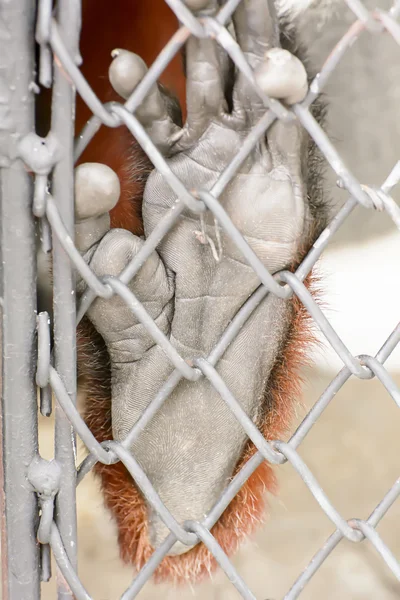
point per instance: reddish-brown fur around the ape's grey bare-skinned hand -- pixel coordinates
(114, 147)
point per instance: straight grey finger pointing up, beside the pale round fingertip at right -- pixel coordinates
(256, 29)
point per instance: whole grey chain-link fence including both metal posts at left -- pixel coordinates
(39, 497)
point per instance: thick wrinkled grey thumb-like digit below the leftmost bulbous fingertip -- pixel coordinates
(152, 286)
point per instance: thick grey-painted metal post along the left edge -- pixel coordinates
(20, 550)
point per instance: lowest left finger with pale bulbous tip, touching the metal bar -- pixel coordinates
(97, 191)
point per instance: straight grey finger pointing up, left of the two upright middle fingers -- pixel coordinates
(206, 75)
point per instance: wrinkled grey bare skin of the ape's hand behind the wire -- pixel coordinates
(190, 448)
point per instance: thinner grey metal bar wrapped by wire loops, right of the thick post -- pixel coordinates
(62, 126)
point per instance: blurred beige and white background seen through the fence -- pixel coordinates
(354, 448)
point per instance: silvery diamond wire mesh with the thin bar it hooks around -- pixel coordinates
(58, 528)
